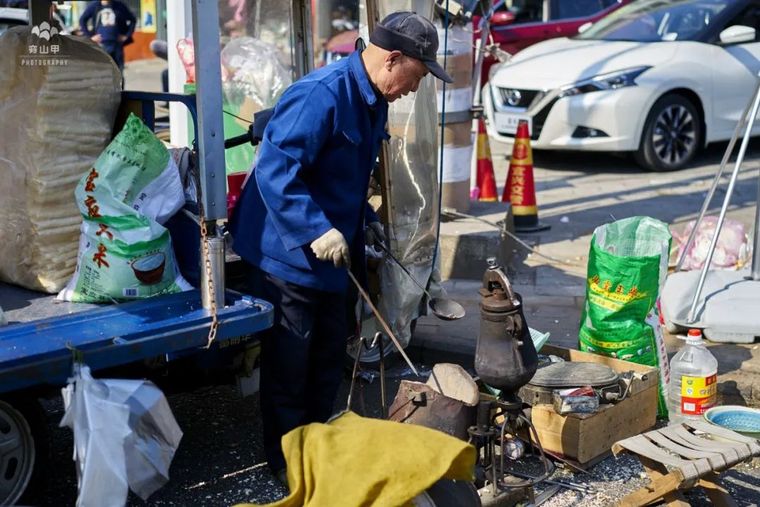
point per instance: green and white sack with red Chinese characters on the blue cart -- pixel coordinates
(125, 252)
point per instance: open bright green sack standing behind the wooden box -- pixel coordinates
(627, 266)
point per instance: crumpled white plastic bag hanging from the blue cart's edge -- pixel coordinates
(125, 437)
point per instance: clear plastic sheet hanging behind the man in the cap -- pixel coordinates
(412, 164)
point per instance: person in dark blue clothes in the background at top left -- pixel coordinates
(110, 24)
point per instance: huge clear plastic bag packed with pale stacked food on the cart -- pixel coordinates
(56, 116)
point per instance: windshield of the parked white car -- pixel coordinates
(657, 20)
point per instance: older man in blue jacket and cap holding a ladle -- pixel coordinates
(300, 221)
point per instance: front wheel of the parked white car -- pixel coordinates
(672, 135)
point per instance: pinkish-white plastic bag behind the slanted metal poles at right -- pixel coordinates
(731, 251)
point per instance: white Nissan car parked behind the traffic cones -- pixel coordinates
(658, 78)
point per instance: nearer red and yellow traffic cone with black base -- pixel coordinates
(520, 188)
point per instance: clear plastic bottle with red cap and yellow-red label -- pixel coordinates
(693, 384)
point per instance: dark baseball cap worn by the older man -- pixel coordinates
(414, 36)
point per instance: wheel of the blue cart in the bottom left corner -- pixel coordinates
(24, 450)
